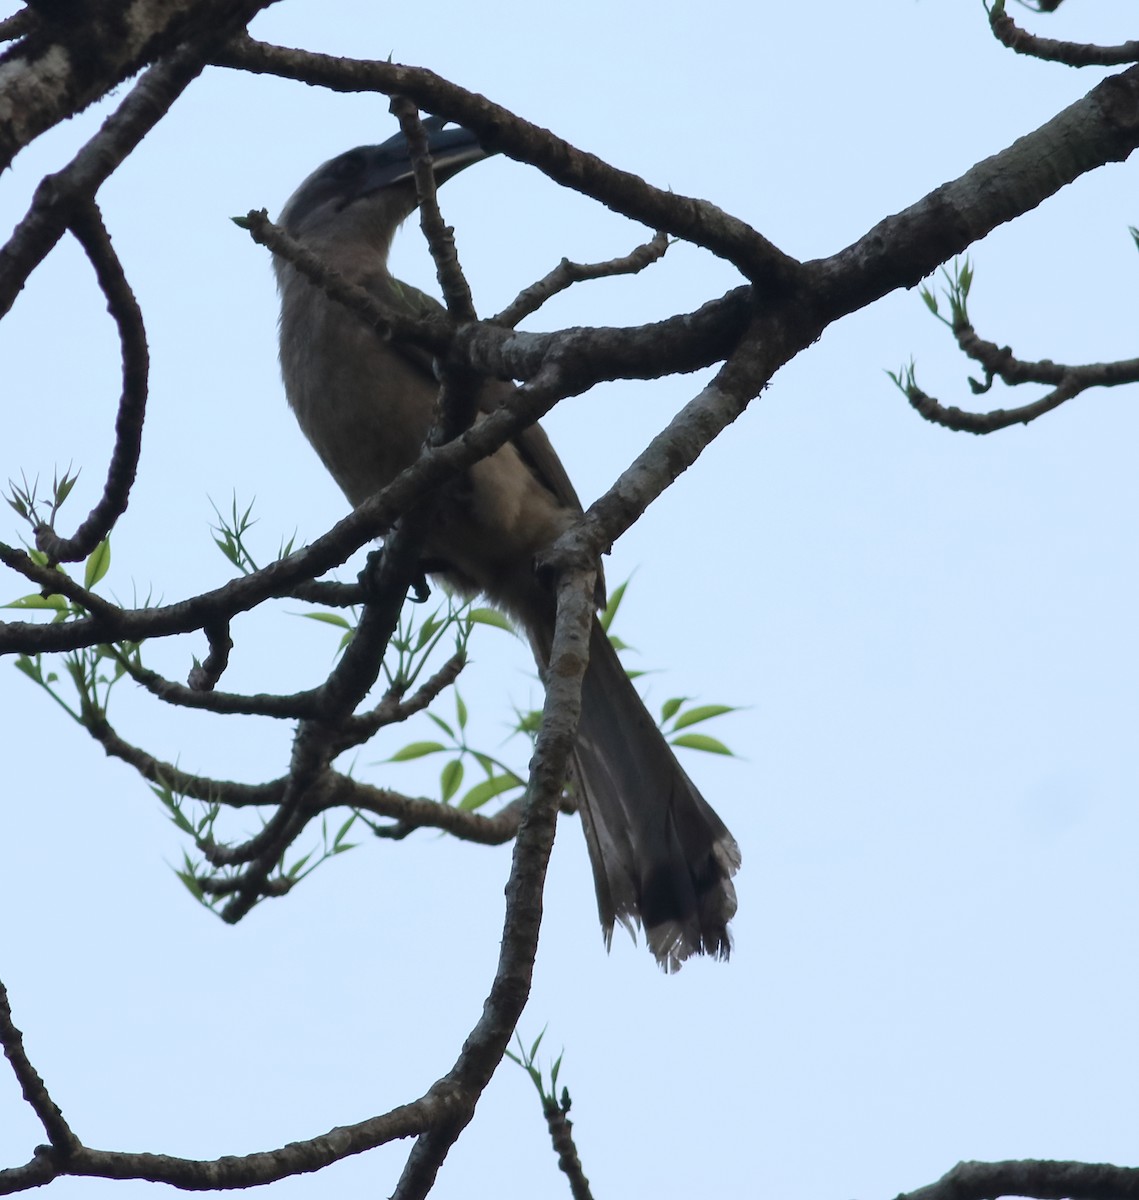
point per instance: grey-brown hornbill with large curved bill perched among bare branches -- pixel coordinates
(662, 857)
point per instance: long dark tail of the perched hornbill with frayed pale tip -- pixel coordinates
(662, 857)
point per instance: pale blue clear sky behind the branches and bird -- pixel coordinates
(932, 639)
